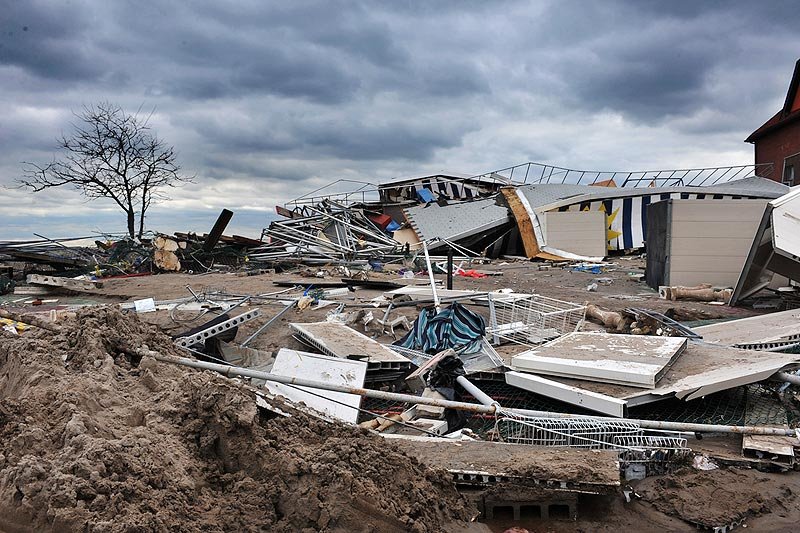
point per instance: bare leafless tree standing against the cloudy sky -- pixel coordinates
(111, 154)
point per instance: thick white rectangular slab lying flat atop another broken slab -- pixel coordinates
(633, 360)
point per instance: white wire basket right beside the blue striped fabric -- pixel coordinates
(532, 319)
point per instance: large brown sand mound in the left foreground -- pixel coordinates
(92, 441)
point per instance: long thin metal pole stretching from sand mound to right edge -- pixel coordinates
(493, 409)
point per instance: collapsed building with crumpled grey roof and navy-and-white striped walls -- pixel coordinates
(529, 210)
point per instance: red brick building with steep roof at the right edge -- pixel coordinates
(777, 141)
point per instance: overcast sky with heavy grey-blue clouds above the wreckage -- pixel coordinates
(267, 100)
